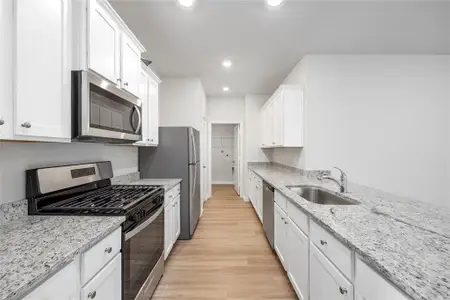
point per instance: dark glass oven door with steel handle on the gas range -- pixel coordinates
(144, 257)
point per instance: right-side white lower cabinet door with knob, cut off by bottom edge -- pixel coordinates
(326, 280)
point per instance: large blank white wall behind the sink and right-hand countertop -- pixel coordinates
(383, 119)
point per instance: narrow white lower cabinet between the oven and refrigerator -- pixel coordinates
(172, 219)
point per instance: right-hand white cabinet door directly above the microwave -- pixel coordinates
(130, 65)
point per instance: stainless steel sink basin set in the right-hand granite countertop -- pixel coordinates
(319, 196)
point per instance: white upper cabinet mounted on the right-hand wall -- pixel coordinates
(282, 118)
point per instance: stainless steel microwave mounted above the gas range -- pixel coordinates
(102, 112)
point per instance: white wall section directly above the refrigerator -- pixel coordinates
(182, 102)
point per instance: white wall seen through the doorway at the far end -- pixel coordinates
(222, 153)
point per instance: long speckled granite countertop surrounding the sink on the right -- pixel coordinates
(407, 241)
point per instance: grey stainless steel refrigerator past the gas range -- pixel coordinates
(177, 156)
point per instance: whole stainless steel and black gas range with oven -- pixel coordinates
(86, 189)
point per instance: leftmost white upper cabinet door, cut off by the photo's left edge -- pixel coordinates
(6, 71)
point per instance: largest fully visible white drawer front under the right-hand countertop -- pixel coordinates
(339, 255)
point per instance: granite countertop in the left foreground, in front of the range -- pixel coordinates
(33, 248)
